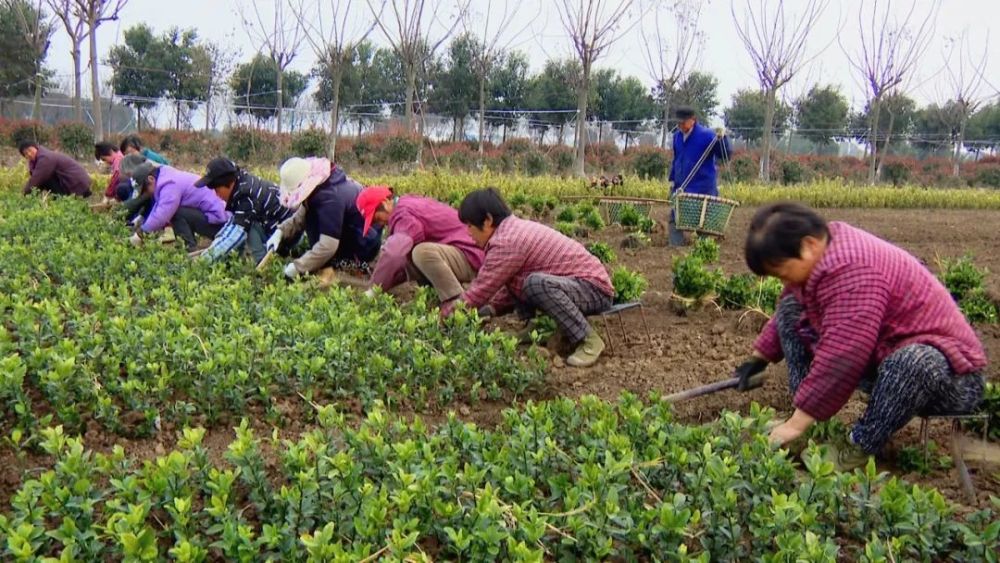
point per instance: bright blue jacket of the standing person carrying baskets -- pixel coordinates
(686, 156)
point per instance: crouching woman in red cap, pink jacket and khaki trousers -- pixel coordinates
(426, 243)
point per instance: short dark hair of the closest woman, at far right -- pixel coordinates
(776, 233)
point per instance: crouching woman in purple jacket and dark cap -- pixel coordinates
(179, 203)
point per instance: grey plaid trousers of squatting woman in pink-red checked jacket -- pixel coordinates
(567, 300)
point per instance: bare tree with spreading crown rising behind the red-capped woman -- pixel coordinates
(407, 28)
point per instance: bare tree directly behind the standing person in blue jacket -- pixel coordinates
(669, 64)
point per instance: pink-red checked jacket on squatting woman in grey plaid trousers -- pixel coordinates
(519, 248)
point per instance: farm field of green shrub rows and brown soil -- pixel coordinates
(134, 350)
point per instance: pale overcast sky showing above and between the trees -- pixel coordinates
(543, 38)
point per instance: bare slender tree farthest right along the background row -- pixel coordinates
(966, 76)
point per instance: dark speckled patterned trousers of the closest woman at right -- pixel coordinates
(915, 380)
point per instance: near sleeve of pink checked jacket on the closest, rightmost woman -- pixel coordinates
(854, 299)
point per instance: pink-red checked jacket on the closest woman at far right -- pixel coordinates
(866, 299)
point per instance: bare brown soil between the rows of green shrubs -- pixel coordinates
(682, 349)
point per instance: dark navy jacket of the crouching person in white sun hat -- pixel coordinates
(332, 210)
